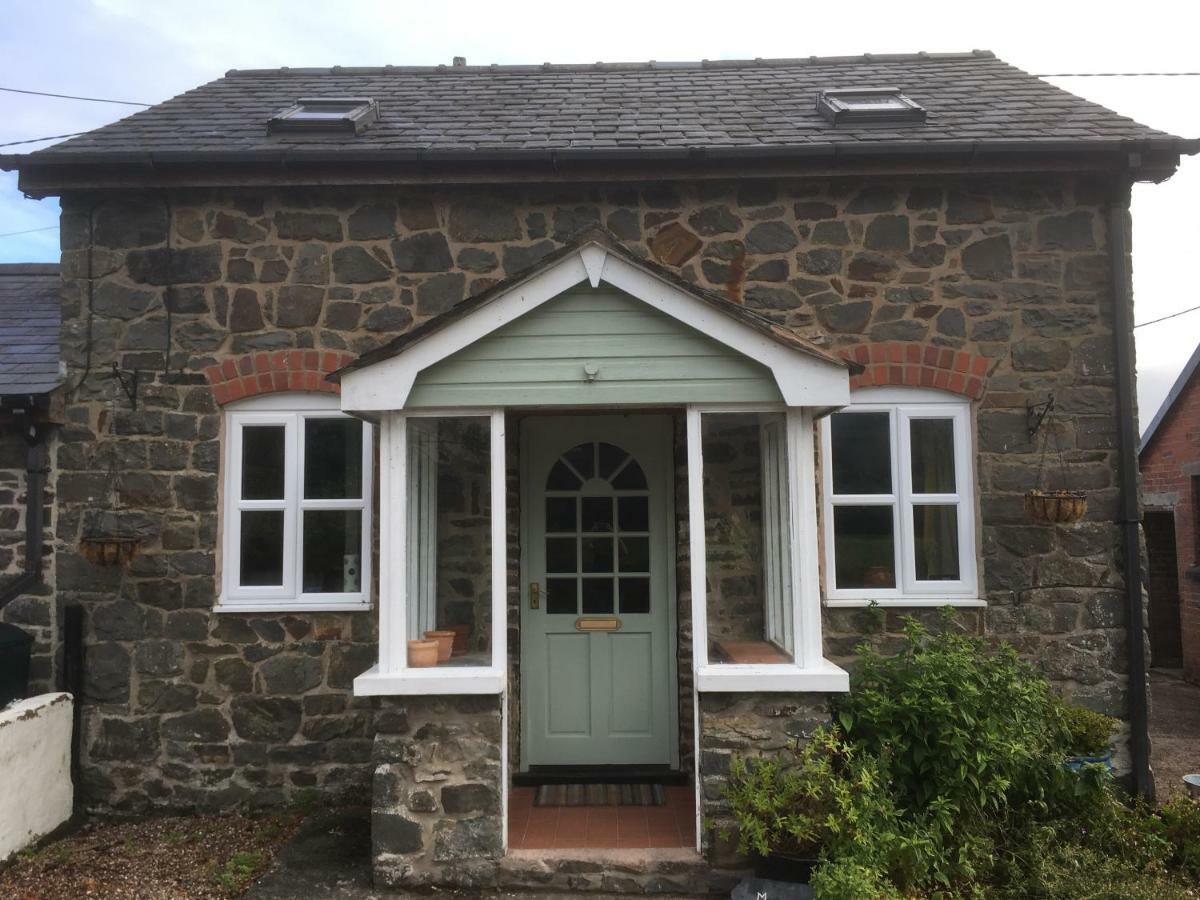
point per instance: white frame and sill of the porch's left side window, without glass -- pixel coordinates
(398, 587)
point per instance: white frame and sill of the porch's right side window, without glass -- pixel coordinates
(809, 671)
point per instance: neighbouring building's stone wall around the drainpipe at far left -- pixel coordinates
(34, 611)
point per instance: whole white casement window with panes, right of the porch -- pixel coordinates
(899, 501)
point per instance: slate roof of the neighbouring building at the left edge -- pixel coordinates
(29, 328)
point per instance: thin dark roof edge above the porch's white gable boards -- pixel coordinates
(769, 328)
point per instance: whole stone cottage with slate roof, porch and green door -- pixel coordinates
(653, 389)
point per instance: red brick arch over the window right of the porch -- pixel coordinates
(914, 365)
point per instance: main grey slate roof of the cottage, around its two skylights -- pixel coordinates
(646, 110)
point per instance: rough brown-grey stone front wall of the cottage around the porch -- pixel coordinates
(185, 707)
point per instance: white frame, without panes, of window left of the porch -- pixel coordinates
(290, 411)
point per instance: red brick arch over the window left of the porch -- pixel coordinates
(257, 374)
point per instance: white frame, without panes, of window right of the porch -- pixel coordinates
(903, 406)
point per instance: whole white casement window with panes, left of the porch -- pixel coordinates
(297, 506)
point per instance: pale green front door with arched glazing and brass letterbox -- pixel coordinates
(597, 650)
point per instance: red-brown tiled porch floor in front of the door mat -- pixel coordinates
(602, 827)
